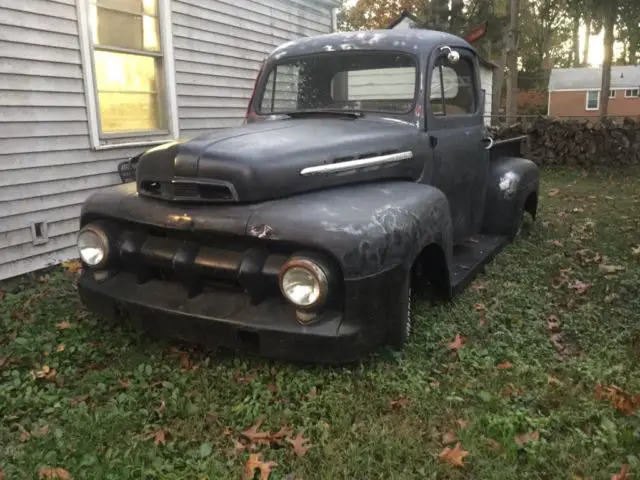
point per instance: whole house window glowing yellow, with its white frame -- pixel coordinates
(132, 88)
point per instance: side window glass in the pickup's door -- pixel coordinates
(452, 90)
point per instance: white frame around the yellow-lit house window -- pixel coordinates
(168, 98)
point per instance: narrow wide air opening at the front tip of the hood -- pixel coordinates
(189, 191)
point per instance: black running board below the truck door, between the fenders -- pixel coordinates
(470, 258)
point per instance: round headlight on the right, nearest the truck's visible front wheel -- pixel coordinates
(304, 283)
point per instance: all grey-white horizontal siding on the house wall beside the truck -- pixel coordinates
(47, 167)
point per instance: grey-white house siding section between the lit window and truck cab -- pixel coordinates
(219, 47)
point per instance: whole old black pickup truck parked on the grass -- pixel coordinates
(364, 168)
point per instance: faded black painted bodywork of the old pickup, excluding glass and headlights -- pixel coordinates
(372, 223)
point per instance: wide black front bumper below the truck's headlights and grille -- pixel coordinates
(227, 318)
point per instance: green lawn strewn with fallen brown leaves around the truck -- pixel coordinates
(88, 423)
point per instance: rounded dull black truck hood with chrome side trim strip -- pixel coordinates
(265, 160)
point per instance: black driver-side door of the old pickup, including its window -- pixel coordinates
(457, 136)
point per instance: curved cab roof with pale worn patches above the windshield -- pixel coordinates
(410, 41)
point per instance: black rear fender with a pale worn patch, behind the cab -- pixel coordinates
(511, 181)
